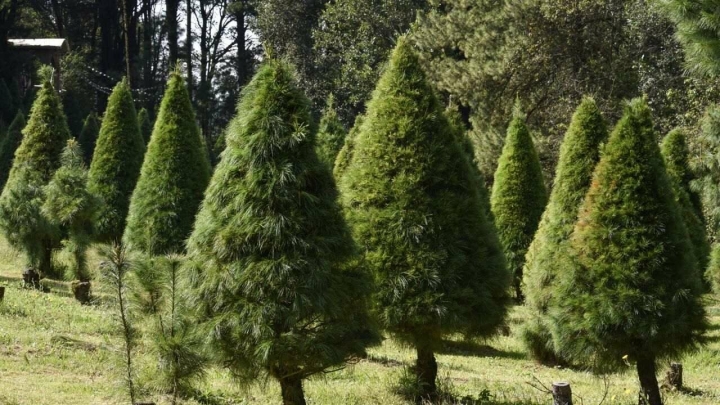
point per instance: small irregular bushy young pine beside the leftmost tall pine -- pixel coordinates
(70, 206)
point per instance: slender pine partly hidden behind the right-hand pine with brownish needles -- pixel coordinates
(579, 153)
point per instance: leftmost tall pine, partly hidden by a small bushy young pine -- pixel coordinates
(36, 159)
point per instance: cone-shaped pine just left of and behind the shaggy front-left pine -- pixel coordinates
(172, 180)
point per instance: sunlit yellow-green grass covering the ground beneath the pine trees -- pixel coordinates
(55, 351)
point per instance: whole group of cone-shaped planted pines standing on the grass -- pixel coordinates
(289, 260)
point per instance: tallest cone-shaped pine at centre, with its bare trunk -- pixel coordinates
(410, 196)
